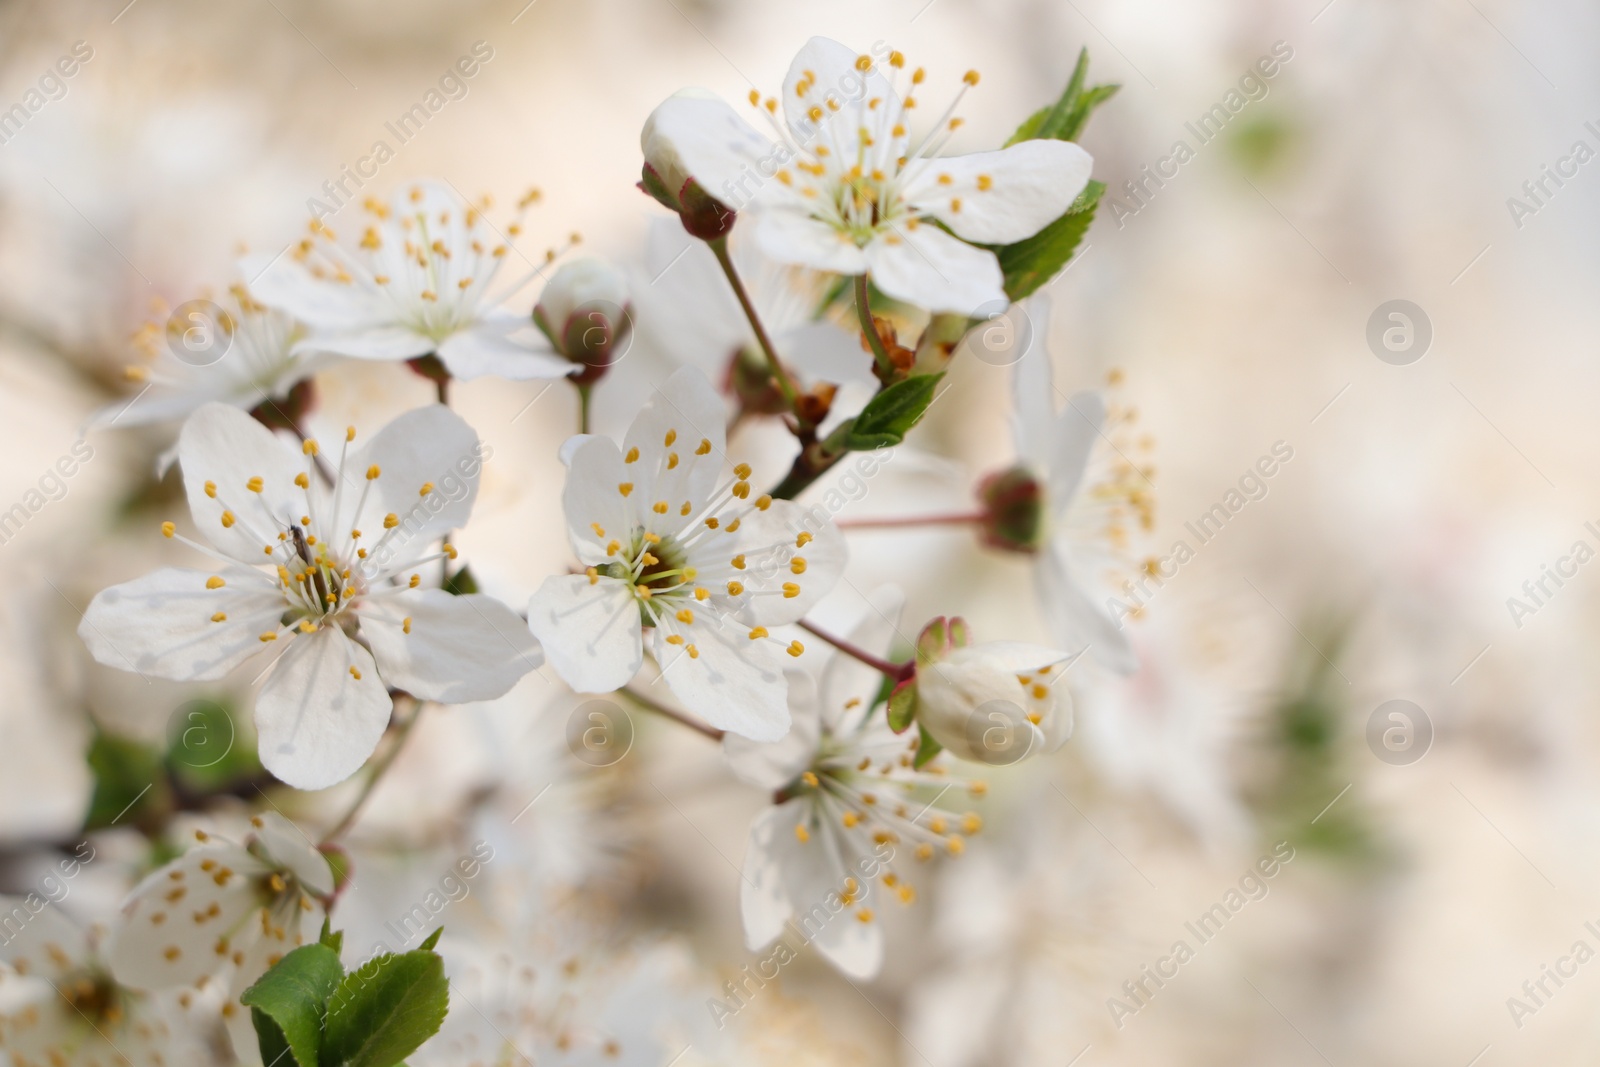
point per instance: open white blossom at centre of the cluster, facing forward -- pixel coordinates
(703, 561)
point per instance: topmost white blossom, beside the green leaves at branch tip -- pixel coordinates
(839, 183)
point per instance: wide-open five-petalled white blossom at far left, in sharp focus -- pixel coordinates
(326, 578)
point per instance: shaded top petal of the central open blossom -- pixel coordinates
(681, 438)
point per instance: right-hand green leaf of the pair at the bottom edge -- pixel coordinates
(385, 1012)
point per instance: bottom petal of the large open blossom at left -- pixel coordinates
(318, 721)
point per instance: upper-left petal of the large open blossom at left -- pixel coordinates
(225, 449)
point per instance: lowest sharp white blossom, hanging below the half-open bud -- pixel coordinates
(850, 812)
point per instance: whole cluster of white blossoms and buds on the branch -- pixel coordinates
(332, 564)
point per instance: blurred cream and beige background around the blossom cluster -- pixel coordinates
(1422, 151)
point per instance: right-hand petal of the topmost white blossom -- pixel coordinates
(1007, 196)
